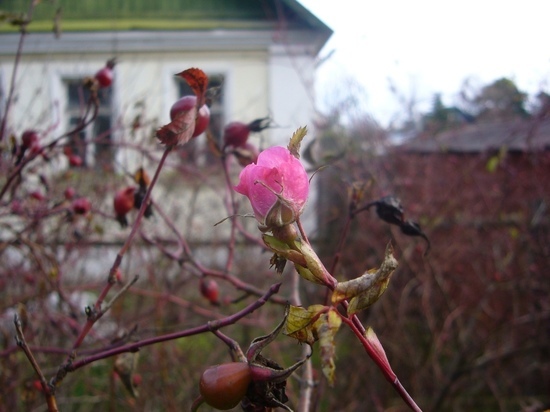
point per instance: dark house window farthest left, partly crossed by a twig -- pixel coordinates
(94, 143)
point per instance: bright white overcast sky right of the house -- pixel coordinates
(429, 46)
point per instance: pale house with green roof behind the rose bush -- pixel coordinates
(262, 53)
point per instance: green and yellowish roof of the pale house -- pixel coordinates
(94, 15)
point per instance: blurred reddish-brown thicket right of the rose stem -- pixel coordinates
(467, 322)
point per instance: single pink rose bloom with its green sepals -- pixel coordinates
(277, 187)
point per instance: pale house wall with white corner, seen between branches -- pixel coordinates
(273, 81)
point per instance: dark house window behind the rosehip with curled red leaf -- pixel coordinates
(195, 150)
